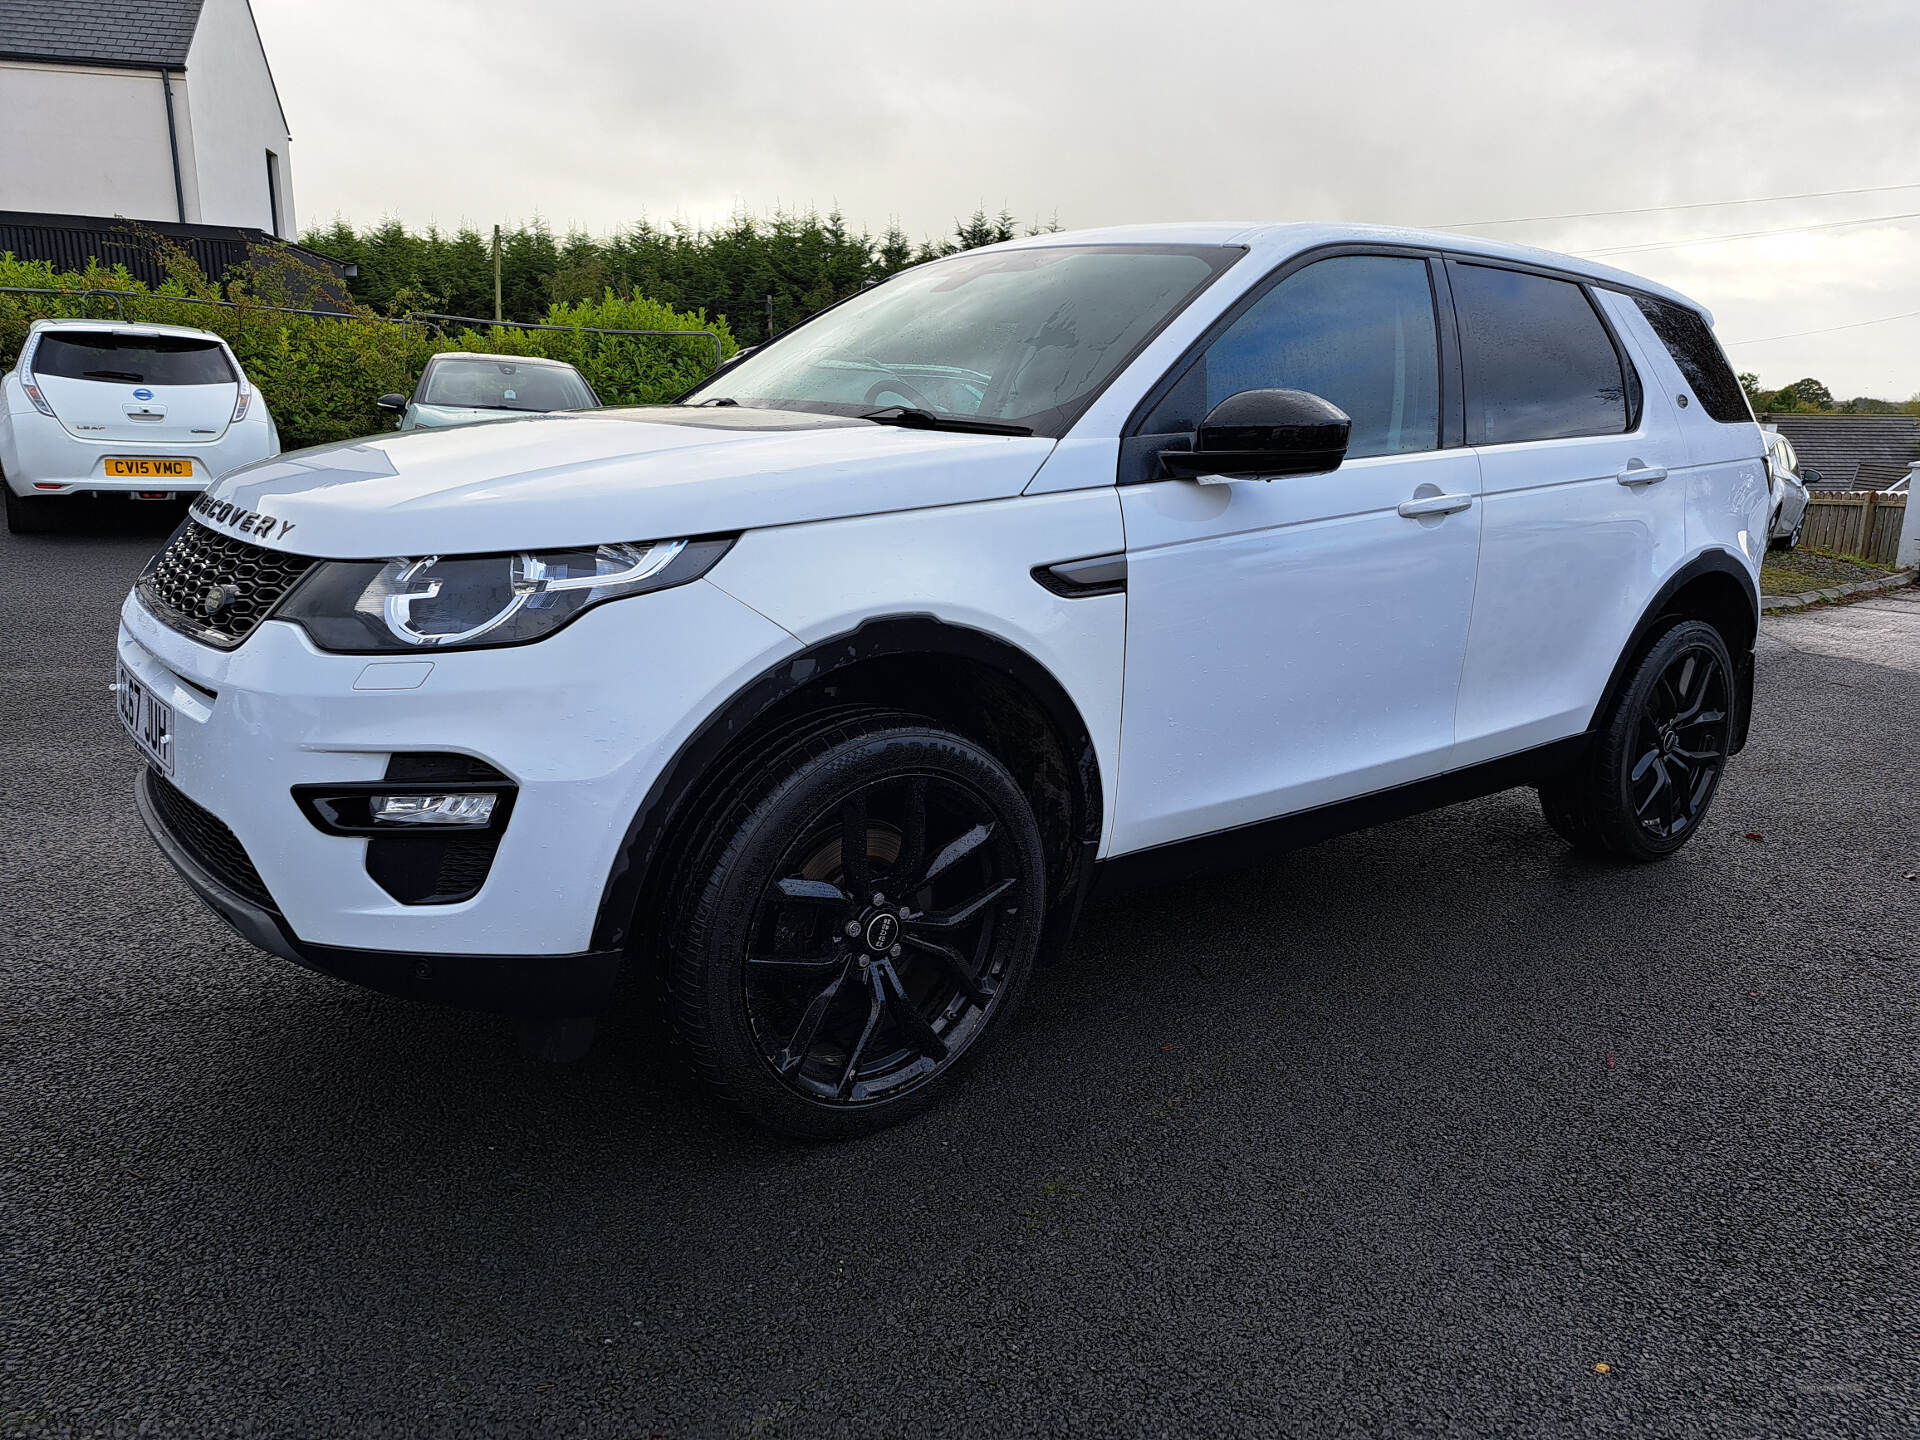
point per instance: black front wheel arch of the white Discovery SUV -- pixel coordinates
(980, 683)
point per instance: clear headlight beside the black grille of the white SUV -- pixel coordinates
(462, 602)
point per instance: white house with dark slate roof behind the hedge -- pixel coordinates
(155, 110)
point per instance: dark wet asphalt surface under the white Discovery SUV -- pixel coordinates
(1406, 1136)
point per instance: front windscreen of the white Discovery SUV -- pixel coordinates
(1017, 337)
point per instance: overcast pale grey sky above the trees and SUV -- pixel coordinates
(596, 112)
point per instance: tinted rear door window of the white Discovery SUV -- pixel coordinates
(1539, 362)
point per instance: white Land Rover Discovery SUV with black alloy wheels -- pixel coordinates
(834, 690)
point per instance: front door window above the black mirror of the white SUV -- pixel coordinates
(1355, 329)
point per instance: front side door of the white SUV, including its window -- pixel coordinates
(1299, 642)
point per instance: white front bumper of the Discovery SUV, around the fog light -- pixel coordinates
(581, 723)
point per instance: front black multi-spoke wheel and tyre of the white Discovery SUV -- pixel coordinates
(857, 921)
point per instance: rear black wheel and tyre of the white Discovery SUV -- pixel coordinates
(1658, 754)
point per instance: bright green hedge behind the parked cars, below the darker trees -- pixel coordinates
(324, 375)
